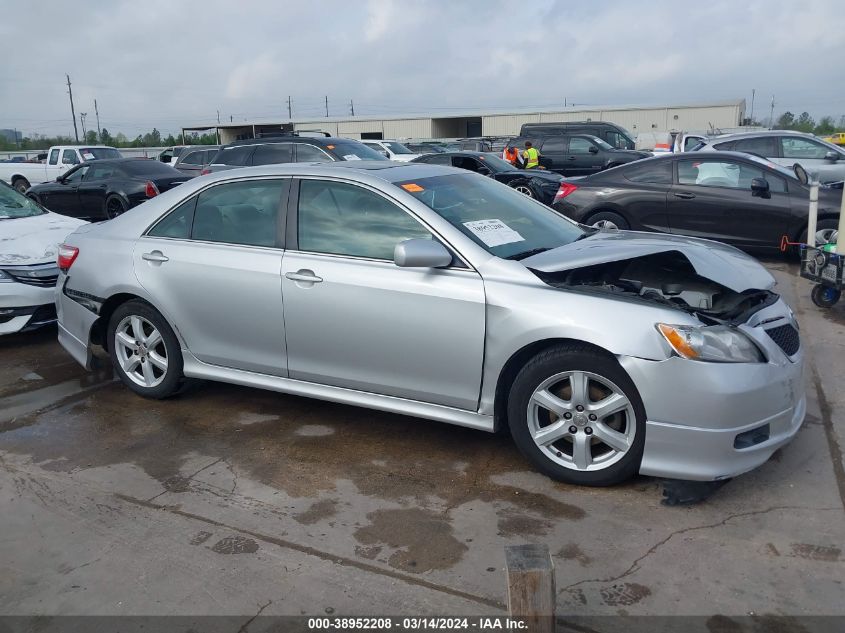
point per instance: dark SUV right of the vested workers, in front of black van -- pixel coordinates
(577, 154)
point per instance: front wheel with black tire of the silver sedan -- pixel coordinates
(577, 416)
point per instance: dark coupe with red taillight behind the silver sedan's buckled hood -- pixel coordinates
(732, 197)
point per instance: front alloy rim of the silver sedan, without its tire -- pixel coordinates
(581, 421)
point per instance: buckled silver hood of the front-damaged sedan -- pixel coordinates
(713, 260)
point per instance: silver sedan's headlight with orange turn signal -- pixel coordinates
(713, 343)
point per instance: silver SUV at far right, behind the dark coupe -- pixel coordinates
(821, 159)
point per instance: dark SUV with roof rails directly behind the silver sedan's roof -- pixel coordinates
(289, 149)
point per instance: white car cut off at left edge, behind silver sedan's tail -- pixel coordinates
(29, 240)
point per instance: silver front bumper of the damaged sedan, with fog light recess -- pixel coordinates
(712, 421)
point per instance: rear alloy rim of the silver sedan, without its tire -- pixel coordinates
(141, 351)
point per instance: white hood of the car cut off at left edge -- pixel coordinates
(34, 240)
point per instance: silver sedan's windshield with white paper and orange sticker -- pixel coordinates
(501, 220)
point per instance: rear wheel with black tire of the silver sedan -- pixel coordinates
(144, 350)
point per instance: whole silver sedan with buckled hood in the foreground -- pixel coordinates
(437, 293)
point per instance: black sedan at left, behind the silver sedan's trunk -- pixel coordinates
(103, 189)
